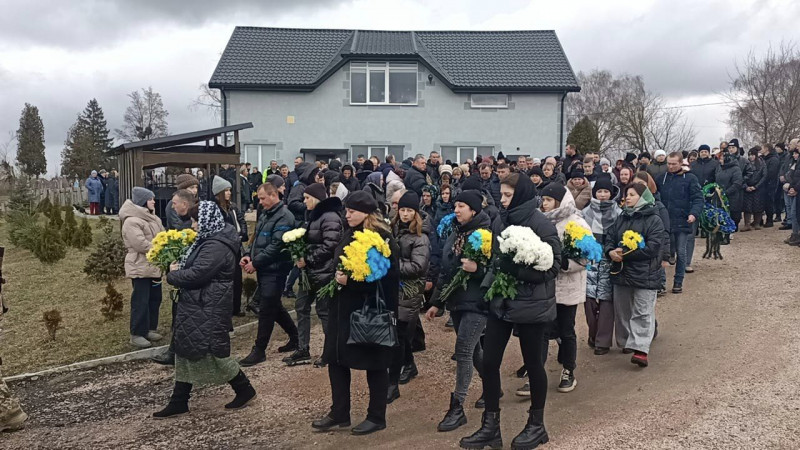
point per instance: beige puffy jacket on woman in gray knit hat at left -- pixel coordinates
(139, 227)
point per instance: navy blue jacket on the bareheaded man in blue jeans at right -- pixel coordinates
(681, 194)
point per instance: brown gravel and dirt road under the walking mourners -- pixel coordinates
(724, 374)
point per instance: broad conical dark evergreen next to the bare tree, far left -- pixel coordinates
(88, 145)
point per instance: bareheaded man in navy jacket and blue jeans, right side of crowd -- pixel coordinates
(681, 194)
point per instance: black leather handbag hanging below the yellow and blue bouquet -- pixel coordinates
(375, 326)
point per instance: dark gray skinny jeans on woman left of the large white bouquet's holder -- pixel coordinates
(469, 327)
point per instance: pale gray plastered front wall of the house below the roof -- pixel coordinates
(324, 119)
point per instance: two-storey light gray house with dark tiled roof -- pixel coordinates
(340, 93)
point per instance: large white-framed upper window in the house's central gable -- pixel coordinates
(383, 84)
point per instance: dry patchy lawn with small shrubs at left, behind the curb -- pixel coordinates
(33, 288)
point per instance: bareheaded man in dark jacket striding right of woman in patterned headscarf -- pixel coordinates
(269, 260)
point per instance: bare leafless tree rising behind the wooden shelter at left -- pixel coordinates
(145, 117)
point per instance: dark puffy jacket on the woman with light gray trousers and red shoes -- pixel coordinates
(640, 268)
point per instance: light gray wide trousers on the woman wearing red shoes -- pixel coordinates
(635, 311)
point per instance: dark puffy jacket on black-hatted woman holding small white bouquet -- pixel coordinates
(324, 232)
